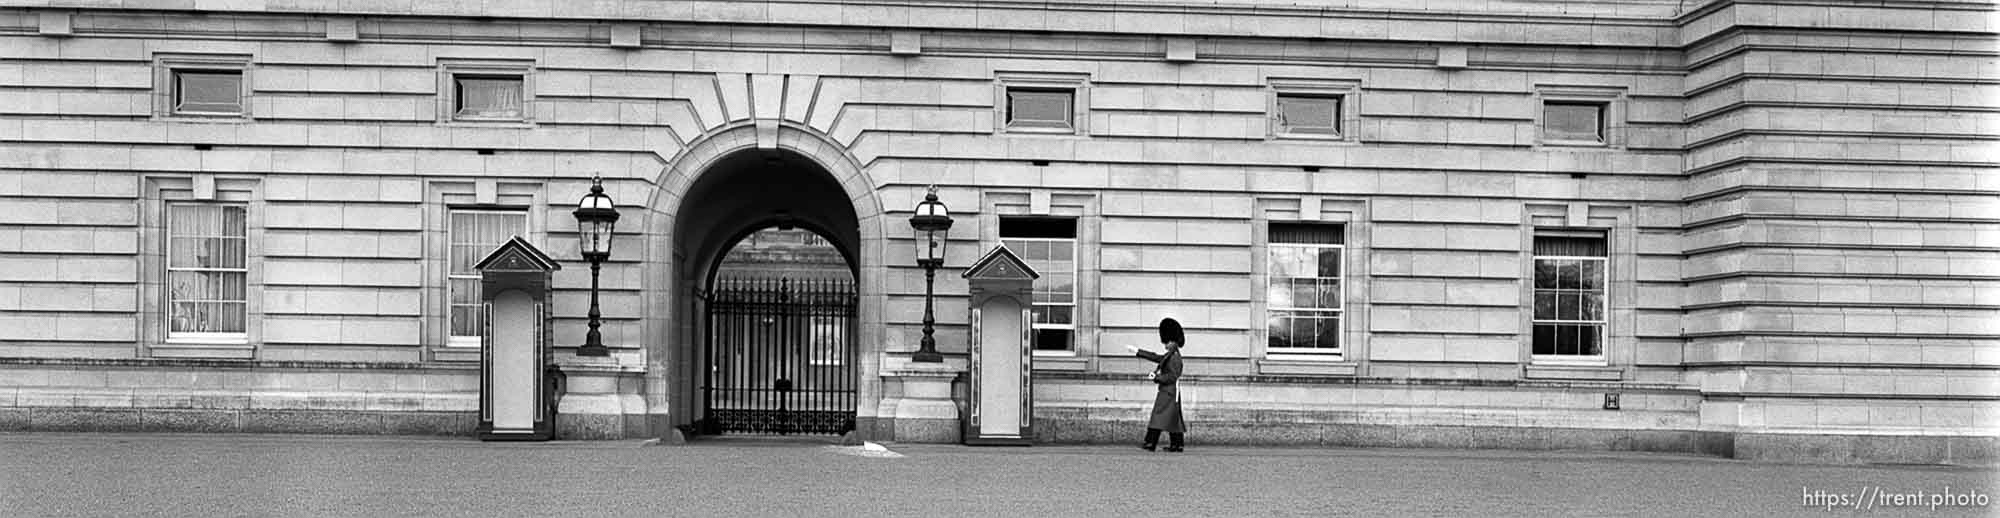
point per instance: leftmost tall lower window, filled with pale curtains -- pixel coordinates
(207, 273)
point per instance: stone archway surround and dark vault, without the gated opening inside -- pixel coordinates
(717, 189)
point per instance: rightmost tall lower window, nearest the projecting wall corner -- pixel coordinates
(1569, 299)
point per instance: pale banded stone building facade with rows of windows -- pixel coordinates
(1739, 227)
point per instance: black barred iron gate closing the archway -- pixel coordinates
(781, 357)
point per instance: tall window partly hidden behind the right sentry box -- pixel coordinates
(1049, 247)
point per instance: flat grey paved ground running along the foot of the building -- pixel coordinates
(167, 475)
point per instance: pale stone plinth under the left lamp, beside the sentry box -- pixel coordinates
(601, 399)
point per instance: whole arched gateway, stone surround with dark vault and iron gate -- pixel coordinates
(713, 373)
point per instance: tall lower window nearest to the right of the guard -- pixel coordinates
(1305, 291)
